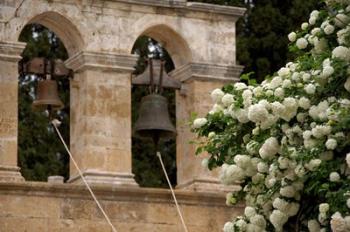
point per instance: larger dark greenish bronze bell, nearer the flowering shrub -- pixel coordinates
(154, 120)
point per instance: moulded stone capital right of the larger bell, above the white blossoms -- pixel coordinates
(207, 72)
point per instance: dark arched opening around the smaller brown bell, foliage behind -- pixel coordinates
(40, 153)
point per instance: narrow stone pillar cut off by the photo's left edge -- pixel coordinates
(9, 56)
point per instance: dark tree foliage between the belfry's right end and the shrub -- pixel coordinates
(262, 45)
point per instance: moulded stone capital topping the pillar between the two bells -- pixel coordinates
(101, 60)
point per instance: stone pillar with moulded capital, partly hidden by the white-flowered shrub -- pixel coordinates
(198, 80)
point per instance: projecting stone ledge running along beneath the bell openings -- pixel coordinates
(113, 193)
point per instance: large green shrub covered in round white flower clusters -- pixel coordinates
(286, 142)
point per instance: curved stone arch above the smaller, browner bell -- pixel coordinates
(62, 27)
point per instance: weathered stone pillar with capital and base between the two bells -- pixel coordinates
(100, 122)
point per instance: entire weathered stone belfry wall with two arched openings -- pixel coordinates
(99, 36)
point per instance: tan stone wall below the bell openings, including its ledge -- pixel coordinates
(34, 207)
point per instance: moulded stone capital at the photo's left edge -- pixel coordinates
(11, 51)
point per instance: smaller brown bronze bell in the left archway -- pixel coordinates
(47, 96)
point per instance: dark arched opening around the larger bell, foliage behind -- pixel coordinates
(146, 166)
